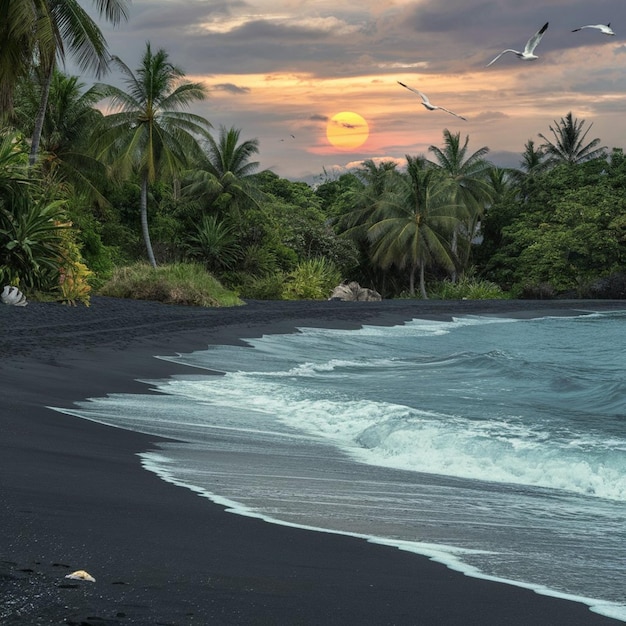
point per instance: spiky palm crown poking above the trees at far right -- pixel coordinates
(569, 143)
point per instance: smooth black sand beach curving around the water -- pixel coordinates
(73, 494)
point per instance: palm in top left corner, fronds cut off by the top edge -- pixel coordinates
(43, 30)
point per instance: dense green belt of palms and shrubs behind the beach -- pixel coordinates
(128, 193)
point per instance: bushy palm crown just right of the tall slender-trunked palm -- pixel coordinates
(224, 177)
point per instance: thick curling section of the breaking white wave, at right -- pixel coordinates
(500, 454)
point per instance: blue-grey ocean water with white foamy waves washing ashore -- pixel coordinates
(494, 445)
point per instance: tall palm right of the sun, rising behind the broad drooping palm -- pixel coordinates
(469, 175)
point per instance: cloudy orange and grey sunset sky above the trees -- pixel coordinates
(281, 70)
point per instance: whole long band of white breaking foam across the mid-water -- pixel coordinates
(401, 437)
